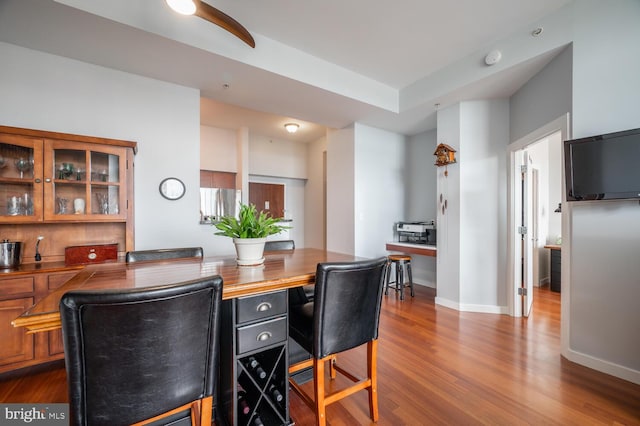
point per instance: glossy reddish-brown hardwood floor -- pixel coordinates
(437, 366)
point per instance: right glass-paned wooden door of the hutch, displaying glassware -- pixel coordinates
(86, 181)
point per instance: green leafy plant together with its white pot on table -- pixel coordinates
(249, 232)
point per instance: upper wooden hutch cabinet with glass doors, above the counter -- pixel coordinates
(51, 182)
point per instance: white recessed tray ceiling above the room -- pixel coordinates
(322, 64)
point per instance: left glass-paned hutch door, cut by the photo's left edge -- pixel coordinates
(20, 178)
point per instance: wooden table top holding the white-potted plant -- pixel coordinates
(281, 270)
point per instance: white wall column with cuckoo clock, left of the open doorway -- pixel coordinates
(472, 260)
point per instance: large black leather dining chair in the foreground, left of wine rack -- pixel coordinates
(142, 355)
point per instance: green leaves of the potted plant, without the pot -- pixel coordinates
(249, 224)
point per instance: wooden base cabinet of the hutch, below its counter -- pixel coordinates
(18, 292)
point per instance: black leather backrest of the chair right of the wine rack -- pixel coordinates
(346, 303)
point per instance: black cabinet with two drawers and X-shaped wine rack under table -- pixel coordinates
(254, 391)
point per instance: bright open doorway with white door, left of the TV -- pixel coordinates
(542, 225)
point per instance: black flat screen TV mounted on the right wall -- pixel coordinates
(603, 167)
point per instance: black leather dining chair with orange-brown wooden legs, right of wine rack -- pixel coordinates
(344, 314)
